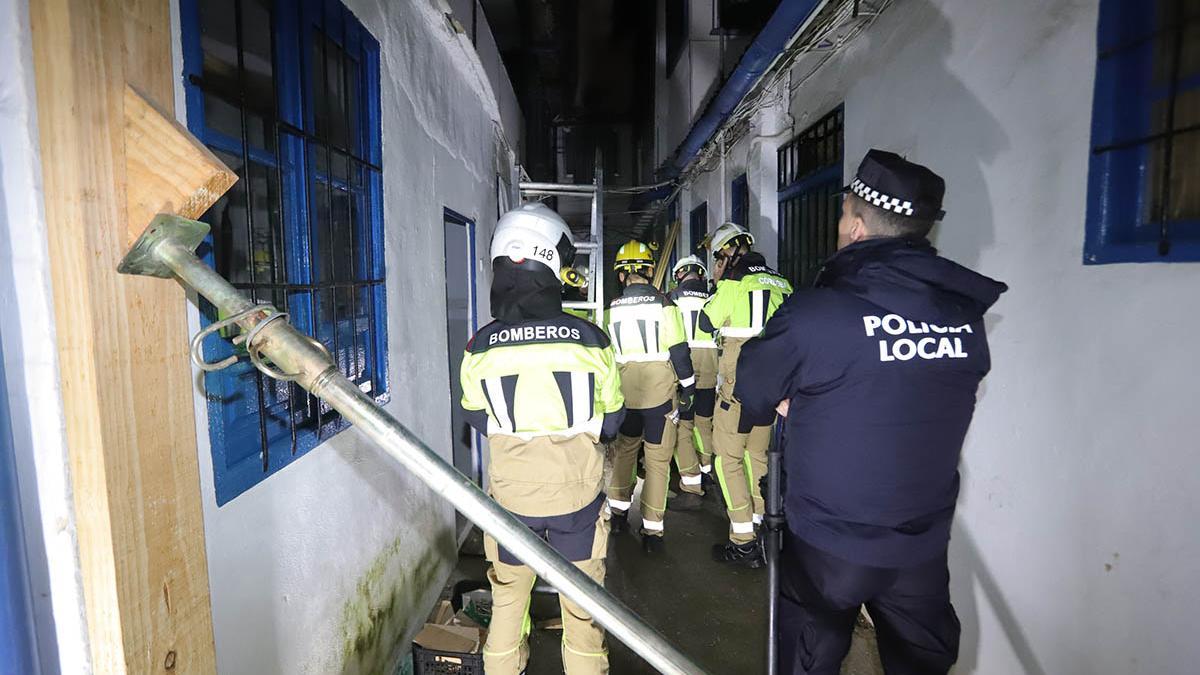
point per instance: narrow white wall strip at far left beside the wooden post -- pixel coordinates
(32, 367)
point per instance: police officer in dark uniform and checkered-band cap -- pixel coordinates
(877, 369)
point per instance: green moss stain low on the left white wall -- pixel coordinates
(388, 600)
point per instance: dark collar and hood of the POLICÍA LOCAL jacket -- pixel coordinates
(907, 277)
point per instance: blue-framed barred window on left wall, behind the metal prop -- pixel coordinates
(289, 97)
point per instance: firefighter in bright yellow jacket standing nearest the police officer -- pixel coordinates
(748, 294)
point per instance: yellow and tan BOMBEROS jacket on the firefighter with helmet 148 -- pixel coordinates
(550, 389)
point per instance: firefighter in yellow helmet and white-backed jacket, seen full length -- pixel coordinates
(656, 372)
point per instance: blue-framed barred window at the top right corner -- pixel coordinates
(1143, 204)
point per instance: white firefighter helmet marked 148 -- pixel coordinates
(533, 231)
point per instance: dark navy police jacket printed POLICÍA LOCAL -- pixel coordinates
(881, 362)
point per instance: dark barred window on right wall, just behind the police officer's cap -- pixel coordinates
(809, 182)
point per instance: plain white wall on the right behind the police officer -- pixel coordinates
(1073, 552)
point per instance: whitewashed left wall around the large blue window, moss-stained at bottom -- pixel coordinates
(331, 565)
